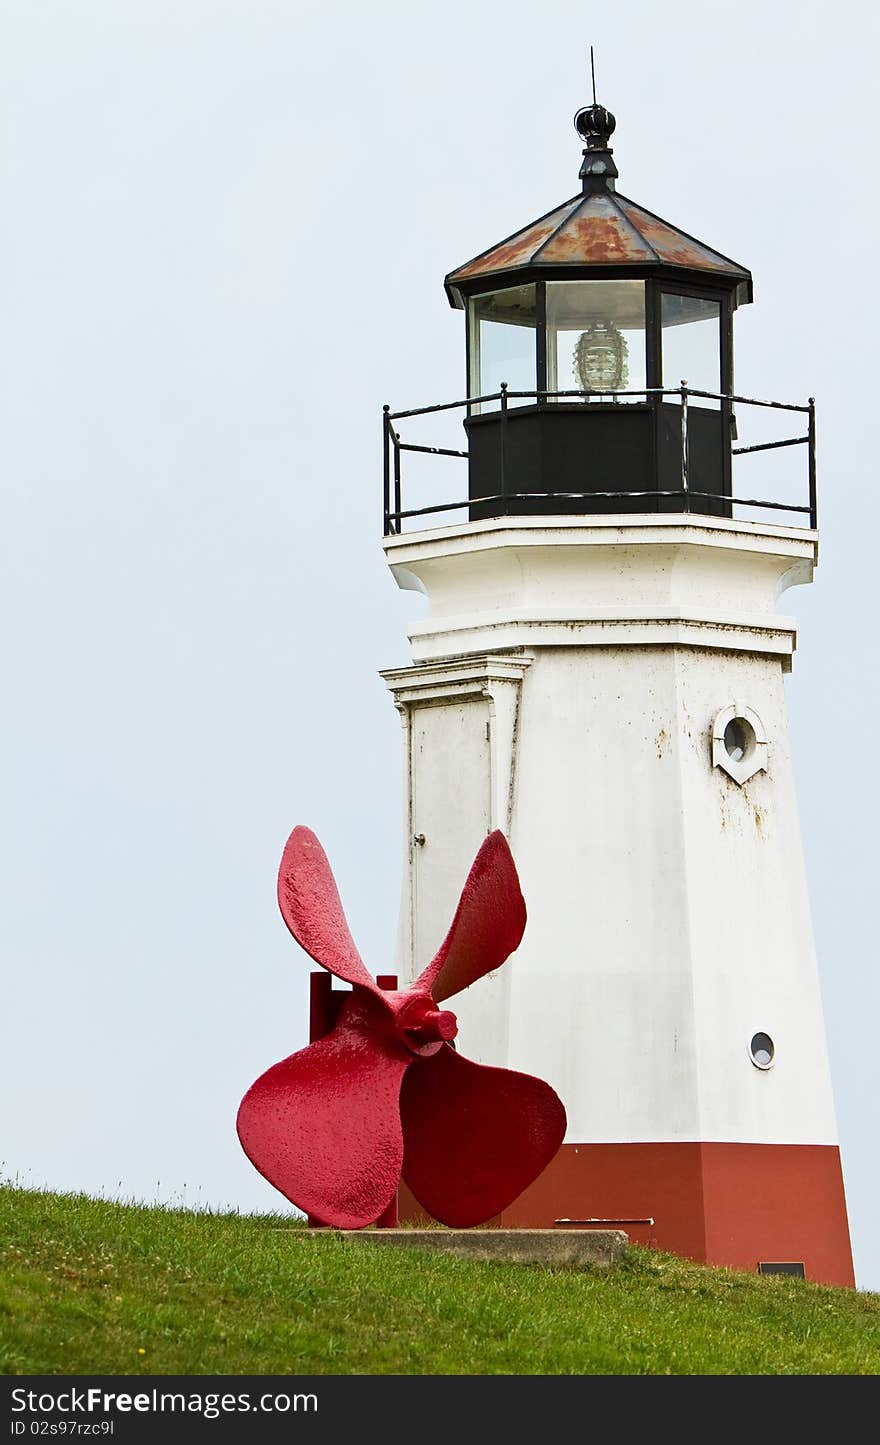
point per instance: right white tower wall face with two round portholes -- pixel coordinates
(751, 928)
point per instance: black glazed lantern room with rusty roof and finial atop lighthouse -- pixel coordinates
(583, 329)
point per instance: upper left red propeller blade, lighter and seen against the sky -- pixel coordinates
(313, 910)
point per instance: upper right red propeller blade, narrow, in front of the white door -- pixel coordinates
(488, 927)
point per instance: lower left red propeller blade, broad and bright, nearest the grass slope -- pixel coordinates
(324, 1125)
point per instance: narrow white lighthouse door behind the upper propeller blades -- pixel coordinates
(450, 811)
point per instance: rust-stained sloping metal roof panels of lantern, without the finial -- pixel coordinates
(600, 229)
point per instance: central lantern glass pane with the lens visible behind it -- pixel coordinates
(596, 337)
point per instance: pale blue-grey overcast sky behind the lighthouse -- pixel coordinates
(226, 226)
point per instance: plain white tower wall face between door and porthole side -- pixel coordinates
(602, 989)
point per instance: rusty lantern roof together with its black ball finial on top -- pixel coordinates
(598, 233)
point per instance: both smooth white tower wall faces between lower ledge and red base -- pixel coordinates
(668, 917)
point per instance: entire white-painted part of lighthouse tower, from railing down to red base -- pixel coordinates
(668, 913)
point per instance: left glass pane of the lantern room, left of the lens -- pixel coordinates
(504, 345)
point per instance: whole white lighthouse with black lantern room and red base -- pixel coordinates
(599, 671)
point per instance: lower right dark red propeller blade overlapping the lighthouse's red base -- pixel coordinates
(473, 1136)
